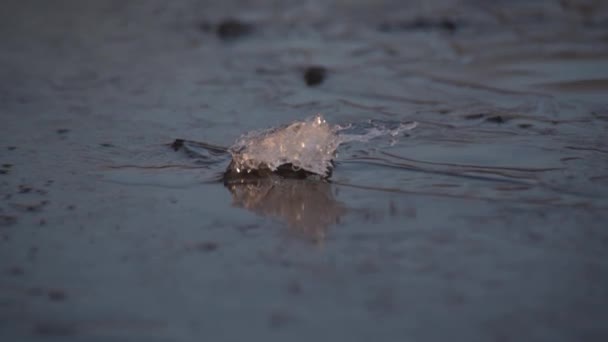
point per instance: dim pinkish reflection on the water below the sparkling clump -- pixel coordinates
(308, 206)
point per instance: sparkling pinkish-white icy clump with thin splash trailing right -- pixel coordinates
(308, 145)
